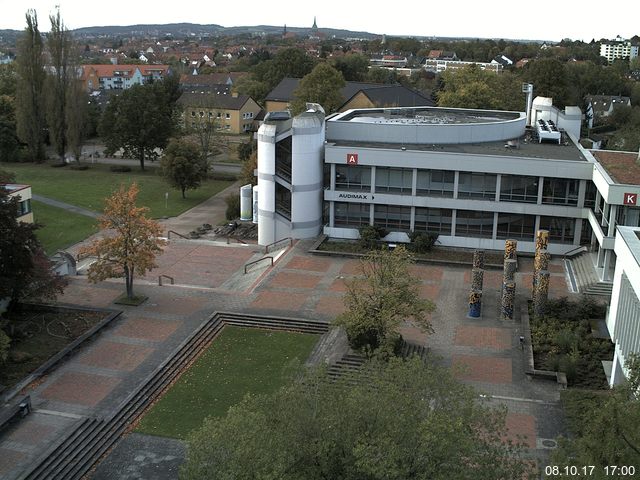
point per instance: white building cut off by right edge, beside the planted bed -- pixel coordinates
(623, 320)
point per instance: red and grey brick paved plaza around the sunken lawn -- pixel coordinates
(93, 382)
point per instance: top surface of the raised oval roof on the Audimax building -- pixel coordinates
(425, 116)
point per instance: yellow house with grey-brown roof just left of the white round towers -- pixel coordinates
(231, 112)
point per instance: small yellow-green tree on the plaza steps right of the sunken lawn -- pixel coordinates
(378, 300)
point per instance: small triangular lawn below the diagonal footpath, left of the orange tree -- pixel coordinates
(60, 228)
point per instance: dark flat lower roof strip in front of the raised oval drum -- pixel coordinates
(545, 150)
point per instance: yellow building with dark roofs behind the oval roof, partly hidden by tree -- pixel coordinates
(355, 95)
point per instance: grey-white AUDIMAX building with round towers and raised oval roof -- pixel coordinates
(475, 177)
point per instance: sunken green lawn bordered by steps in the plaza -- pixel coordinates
(239, 361)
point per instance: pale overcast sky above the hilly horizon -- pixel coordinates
(512, 19)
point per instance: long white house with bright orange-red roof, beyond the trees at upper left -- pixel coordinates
(121, 77)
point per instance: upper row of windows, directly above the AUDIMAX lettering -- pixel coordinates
(441, 183)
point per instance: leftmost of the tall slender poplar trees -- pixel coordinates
(30, 118)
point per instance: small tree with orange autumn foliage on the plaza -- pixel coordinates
(132, 248)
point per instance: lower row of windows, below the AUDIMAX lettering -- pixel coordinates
(468, 223)
